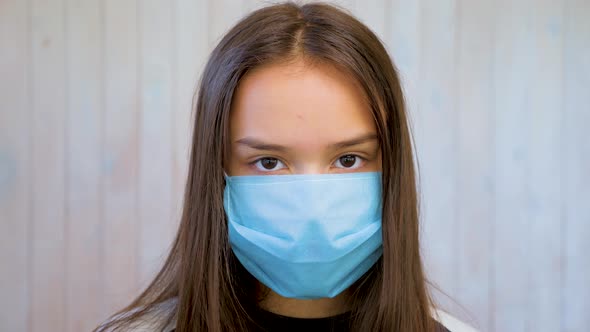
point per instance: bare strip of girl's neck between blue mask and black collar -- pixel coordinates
(316, 308)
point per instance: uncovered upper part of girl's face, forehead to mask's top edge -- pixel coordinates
(299, 119)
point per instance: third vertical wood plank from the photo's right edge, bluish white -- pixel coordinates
(513, 71)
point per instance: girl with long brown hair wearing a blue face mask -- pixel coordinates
(301, 209)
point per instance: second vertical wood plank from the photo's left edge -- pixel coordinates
(47, 274)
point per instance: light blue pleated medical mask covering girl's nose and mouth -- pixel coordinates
(305, 236)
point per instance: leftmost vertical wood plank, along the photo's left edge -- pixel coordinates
(14, 165)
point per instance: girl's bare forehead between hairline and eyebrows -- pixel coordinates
(299, 103)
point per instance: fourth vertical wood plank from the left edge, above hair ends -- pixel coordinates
(120, 155)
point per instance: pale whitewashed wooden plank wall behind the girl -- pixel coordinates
(94, 121)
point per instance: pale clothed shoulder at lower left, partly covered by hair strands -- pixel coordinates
(151, 322)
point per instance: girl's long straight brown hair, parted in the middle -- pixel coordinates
(212, 290)
